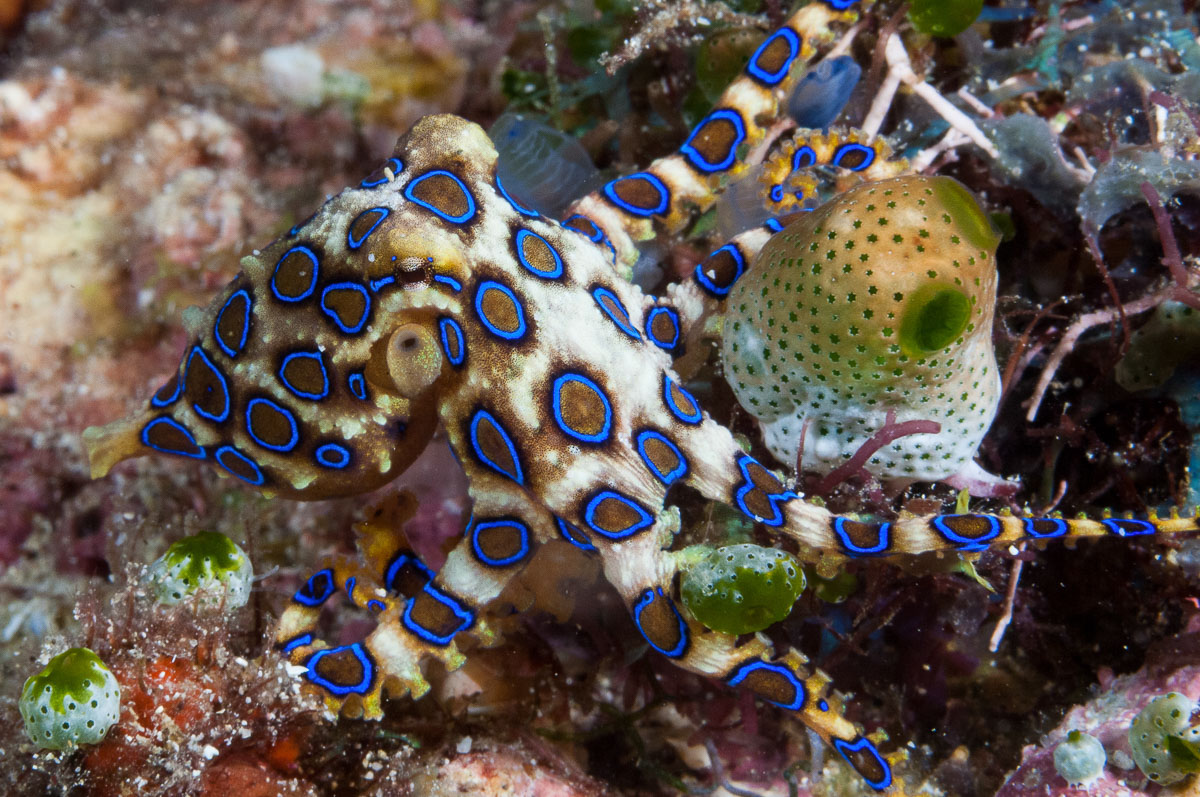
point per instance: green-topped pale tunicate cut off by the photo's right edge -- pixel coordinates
(1166, 744)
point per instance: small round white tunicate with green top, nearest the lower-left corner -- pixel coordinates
(75, 700)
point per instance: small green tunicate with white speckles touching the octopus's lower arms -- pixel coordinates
(742, 589)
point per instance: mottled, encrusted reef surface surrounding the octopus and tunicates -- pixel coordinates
(148, 146)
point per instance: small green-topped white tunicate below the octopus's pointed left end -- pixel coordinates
(209, 565)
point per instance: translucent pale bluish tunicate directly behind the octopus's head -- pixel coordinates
(539, 166)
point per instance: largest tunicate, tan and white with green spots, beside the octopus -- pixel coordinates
(874, 310)
